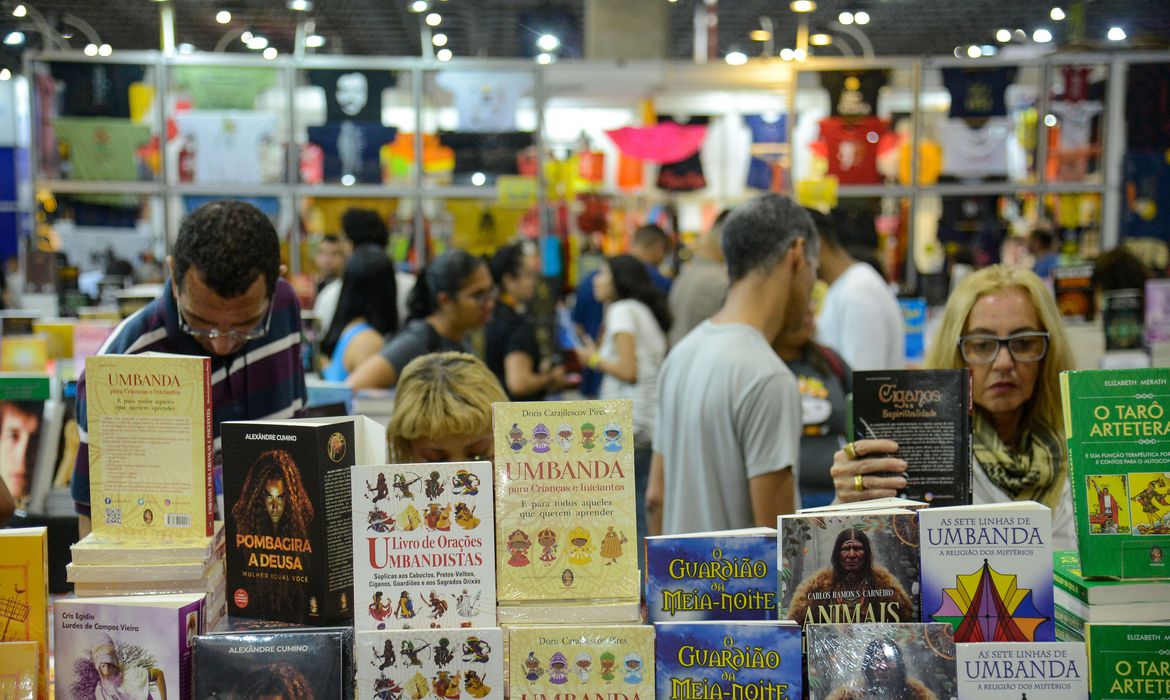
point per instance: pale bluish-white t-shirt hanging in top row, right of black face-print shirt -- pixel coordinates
(486, 101)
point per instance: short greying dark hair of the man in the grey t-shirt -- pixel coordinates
(760, 232)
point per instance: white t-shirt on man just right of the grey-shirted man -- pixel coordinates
(863, 321)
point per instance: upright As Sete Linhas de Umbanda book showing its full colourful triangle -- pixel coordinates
(987, 571)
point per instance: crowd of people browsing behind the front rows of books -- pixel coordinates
(740, 392)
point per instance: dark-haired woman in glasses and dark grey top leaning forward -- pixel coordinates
(453, 297)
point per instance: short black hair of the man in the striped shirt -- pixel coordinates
(231, 244)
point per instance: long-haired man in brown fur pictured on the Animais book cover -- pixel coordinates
(852, 589)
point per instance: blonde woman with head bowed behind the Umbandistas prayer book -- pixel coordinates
(443, 410)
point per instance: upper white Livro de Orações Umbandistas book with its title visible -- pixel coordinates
(424, 546)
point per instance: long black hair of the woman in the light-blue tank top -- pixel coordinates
(369, 291)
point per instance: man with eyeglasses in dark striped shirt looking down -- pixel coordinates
(224, 299)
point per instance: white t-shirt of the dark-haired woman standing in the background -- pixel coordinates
(632, 317)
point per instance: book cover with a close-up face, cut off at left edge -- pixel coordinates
(24, 464)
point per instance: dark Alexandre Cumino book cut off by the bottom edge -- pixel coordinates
(312, 664)
